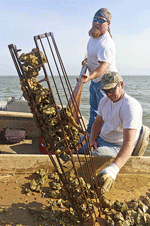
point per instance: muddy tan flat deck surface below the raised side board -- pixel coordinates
(17, 203)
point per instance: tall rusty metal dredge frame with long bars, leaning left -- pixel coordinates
(90, 214)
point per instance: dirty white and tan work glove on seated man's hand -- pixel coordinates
(106, 178)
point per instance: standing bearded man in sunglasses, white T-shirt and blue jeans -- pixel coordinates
(100, 58)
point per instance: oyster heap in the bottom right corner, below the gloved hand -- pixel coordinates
(135, 212)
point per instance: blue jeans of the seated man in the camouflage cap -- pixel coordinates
(104, 148)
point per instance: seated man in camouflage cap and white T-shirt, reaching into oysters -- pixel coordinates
(116, 129)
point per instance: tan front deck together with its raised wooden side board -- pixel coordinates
(133, 181)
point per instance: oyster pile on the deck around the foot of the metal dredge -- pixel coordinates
(59, 199)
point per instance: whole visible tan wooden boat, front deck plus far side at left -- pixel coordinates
(19, 162)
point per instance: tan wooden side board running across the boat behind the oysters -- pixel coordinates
(22, 163)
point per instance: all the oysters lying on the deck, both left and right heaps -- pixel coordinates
(135, 212)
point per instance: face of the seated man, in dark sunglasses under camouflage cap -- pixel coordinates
(115, 93)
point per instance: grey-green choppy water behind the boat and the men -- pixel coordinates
(136, 86)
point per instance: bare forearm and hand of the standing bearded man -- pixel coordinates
(98, 72)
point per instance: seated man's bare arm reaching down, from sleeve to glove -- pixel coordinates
(126, 148)
